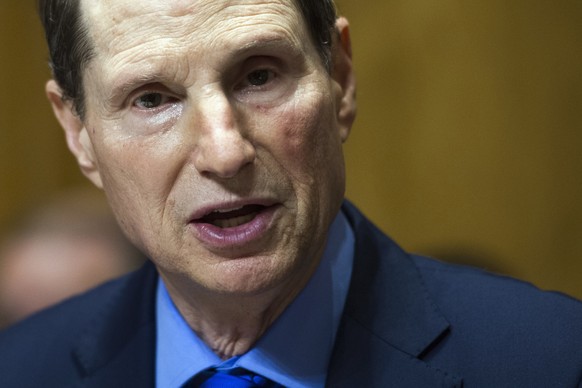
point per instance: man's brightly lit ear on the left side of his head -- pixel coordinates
(75, 132)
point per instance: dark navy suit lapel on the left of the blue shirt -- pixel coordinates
(118, 349)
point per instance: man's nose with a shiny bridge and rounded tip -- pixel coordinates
(221, 147)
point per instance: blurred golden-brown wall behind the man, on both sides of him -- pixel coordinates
(468, 143)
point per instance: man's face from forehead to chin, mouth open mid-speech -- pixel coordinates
(216, 133)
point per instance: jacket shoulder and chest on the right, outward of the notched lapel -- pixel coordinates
(506, 324)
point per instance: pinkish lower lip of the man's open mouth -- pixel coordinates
(238, 236)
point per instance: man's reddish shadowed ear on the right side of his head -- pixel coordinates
(343, 74)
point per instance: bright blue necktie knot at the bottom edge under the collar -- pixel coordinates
(229, 378)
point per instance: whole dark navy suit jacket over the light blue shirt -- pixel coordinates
(408, 322)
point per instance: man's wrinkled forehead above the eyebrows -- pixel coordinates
(125, 33)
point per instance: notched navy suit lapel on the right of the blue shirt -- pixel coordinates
(389, 319)
